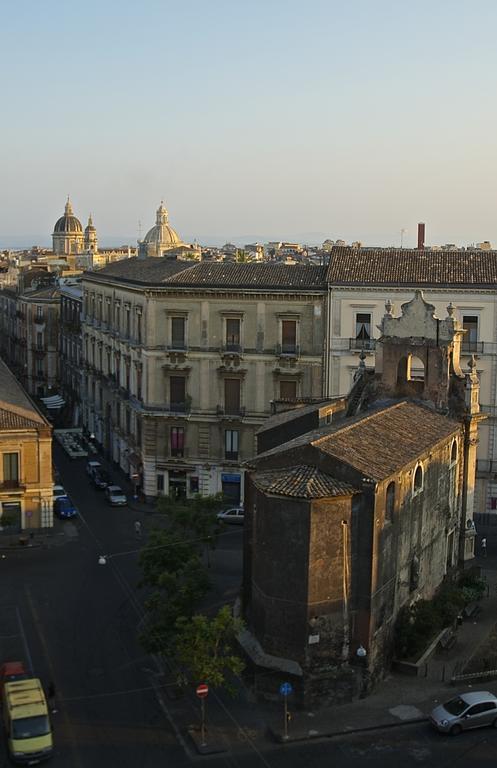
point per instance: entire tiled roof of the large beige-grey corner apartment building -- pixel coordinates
(213, 274)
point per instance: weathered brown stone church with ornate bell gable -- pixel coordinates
(366, 513)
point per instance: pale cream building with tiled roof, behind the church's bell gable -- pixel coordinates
(362, 282)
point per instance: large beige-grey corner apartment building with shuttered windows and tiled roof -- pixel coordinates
(181, 364)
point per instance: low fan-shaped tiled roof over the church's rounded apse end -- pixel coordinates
(303, 482)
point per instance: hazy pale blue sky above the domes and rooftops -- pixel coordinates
(260, 118)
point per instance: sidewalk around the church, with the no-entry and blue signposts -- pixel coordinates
(400, 700)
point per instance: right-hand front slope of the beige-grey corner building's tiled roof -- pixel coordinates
(259, 275)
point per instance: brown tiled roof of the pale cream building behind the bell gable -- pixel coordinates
(399, 267)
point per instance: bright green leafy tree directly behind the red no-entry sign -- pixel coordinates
(206, 647)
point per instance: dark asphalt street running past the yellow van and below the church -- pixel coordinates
(77, 622)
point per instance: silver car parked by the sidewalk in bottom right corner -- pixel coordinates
(472, 709)
